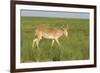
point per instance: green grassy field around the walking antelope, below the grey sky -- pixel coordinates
(74, 47)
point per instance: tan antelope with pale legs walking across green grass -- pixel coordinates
(49, 33)
